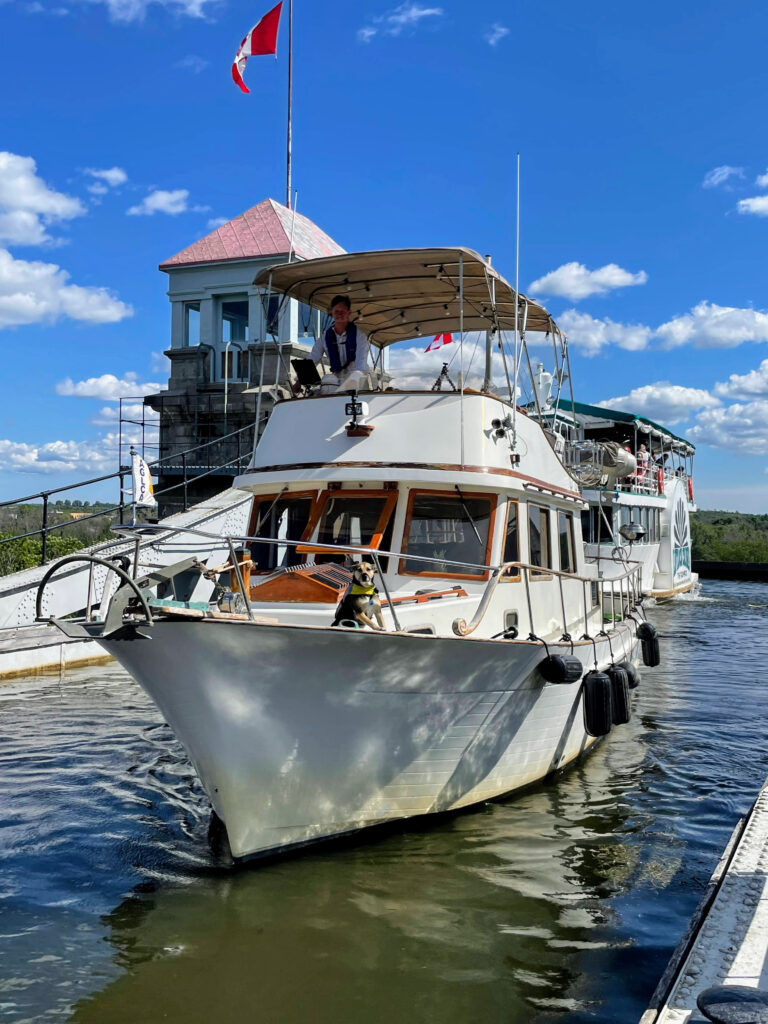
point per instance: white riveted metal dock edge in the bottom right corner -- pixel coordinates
(727, 943)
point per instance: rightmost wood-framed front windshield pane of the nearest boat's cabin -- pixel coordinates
(451, 527)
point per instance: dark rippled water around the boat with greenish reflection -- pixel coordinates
(561, 906)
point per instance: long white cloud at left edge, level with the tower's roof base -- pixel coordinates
(40, 293)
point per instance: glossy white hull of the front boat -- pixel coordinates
(302, 734)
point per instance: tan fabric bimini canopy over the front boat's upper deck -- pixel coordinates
(398, 294)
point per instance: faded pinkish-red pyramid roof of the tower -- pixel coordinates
(263, 231)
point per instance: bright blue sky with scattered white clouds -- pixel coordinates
(644, 206)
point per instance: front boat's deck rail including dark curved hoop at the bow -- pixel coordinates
(616, 600)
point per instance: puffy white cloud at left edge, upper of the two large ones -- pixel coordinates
(28, 205)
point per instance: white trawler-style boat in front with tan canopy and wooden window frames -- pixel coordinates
(505, 654)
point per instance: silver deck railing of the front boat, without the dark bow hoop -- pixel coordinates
(616, 599)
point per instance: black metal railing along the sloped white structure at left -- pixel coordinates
(190, 472)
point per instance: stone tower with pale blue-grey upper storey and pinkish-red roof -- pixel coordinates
(222, 327)
